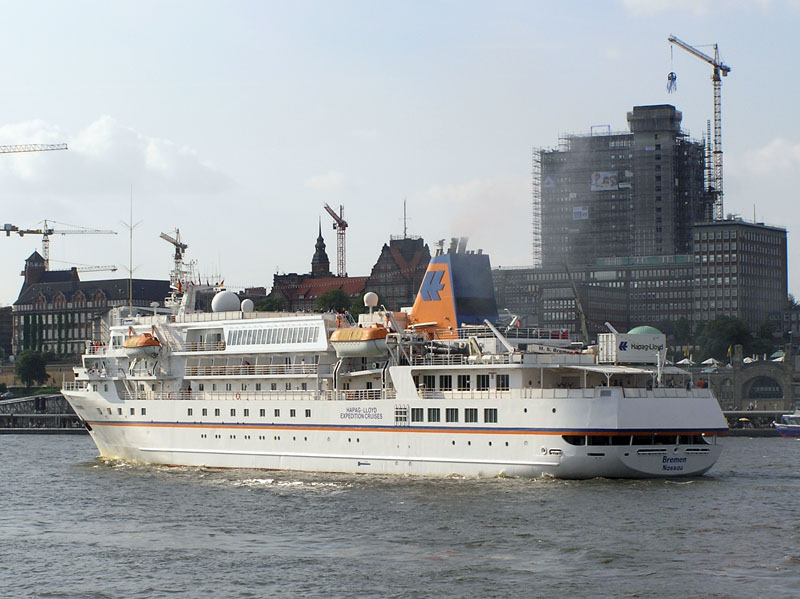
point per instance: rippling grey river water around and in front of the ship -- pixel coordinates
(72, 525)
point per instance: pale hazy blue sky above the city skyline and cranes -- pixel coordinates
(236, 121)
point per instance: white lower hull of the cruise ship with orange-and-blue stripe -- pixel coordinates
(529, 440)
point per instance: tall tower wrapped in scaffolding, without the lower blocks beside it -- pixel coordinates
(633, 193)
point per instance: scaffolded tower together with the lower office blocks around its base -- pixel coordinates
(623, 230)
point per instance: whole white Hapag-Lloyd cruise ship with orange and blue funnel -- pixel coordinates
(438, 390)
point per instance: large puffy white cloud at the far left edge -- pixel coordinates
(103, 158)
